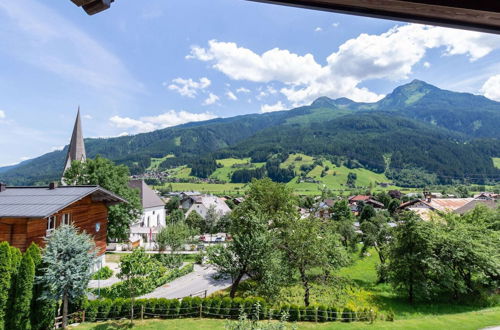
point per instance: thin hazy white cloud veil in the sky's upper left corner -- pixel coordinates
(34, 33)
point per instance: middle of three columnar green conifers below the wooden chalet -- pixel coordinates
(23, 292)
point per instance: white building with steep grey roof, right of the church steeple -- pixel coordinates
(144, 231)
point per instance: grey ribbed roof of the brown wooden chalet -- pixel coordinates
(41, 202)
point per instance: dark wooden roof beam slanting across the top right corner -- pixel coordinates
(477, 15)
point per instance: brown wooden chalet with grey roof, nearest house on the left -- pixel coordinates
(31, 214)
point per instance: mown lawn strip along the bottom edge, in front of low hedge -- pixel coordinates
(460, 321)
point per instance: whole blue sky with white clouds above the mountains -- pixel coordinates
(145, 65)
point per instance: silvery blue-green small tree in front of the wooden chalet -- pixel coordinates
(68, 260)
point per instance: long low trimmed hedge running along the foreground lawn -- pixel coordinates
(215, 307)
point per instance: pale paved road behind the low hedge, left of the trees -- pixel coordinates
(200, 279)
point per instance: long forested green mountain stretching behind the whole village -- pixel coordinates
(453, 135)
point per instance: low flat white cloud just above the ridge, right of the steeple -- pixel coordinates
(151, 123)
